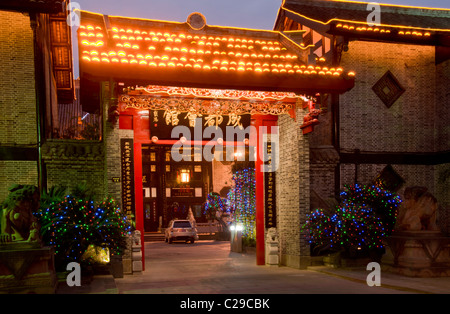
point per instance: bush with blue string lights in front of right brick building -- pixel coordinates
(365, 216)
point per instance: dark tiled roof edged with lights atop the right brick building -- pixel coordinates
(353, 11)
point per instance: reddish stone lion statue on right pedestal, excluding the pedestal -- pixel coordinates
(418, 211)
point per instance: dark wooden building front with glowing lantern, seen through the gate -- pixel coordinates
(171, 188)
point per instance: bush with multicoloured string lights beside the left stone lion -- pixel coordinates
(73, 225)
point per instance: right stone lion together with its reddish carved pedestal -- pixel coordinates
(417, 248)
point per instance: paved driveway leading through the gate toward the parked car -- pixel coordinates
(208, 267)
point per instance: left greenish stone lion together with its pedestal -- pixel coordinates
(25, 266)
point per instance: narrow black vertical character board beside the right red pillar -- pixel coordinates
(269, 191)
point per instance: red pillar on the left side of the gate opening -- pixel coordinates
(138, 197)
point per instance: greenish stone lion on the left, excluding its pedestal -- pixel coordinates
(17, 222)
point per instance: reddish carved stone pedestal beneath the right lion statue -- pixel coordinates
(418, 254)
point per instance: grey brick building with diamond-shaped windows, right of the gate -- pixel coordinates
(392, 124)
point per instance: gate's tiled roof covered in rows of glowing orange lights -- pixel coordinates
(172, 53)
